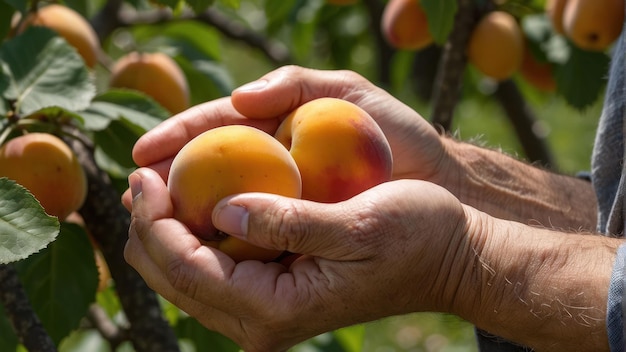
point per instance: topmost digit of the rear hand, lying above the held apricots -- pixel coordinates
(281, 91)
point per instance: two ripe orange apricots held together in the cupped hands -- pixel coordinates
(327, 150)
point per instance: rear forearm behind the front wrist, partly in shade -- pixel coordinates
(507, 188)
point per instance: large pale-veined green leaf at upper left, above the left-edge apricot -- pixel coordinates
(43, 70)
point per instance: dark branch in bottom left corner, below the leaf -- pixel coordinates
(24, 320)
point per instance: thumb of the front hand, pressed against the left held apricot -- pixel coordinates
(283, 223)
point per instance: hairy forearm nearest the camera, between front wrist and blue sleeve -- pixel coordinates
(541, 288)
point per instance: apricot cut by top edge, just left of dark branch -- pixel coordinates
(404, 25)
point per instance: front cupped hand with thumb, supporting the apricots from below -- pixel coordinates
(360, 255)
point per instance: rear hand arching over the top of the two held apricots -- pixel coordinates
(416, 146)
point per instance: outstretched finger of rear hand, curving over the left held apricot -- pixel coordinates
(166, 139)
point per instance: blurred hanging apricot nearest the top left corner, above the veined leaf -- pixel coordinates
(70, 25)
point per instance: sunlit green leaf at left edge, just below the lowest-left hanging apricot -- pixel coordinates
(25, 228)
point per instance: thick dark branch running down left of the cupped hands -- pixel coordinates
(108, 221)
